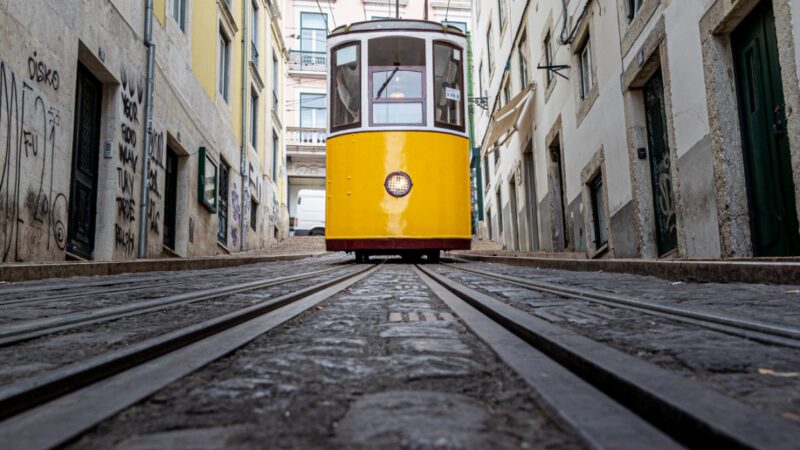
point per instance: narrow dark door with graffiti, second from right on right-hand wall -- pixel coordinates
(660, 165)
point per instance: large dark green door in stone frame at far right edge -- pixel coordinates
(773, 217)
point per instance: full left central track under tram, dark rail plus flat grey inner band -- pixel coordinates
(42, 411)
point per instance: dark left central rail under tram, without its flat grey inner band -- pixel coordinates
(37, 390)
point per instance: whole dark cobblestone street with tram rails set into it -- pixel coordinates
(385, 361)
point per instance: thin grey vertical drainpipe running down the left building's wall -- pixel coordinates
(148, 126)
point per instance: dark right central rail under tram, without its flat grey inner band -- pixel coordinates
(689, 412)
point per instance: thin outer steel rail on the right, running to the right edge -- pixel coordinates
(779, 334)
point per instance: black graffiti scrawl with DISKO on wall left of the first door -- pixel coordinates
(28, 197)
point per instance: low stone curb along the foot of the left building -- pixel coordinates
(16, 272)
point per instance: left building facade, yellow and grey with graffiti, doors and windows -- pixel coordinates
(85, 175)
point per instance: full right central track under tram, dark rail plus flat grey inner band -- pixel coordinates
(682, 409)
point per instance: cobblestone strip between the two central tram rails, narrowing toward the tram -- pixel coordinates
(344, 375)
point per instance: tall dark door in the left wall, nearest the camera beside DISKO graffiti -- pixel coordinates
(83, 177)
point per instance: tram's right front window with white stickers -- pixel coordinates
(448, 86)
